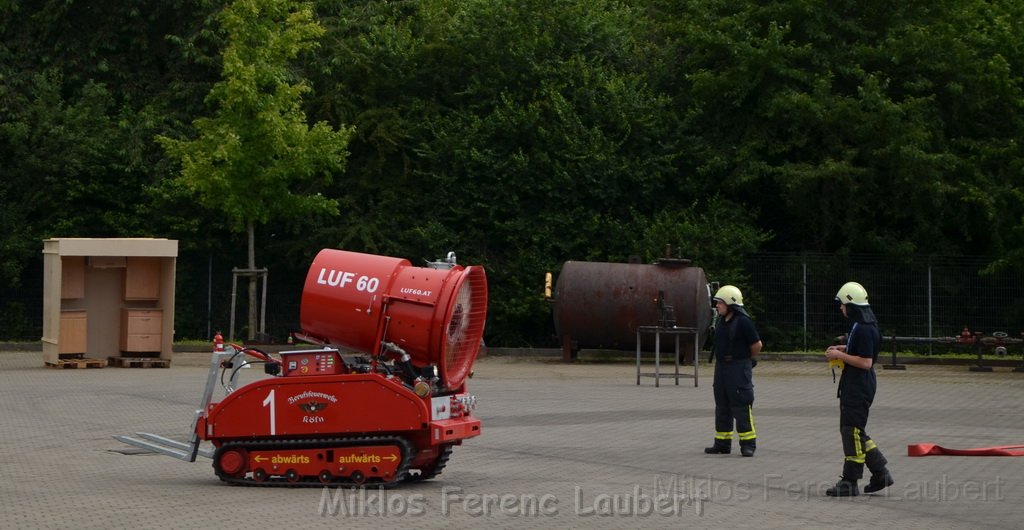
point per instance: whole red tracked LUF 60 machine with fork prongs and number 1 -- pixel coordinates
(381, 400)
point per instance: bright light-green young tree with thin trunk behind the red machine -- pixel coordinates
(258, 159)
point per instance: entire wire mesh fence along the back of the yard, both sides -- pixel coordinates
(791, 297)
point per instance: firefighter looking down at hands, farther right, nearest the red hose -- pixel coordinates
(857, 392)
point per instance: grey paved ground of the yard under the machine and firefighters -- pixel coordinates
(563, 447)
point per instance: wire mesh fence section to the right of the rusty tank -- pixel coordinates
(793, 297)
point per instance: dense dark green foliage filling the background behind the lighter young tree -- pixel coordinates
(524, 135)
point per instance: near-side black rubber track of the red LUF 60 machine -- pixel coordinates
(329, 444)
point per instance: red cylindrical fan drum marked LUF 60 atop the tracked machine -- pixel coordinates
(437, 316)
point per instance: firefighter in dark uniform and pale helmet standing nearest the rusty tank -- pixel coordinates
(737, 346)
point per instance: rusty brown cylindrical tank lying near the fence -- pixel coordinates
(601, 305)
